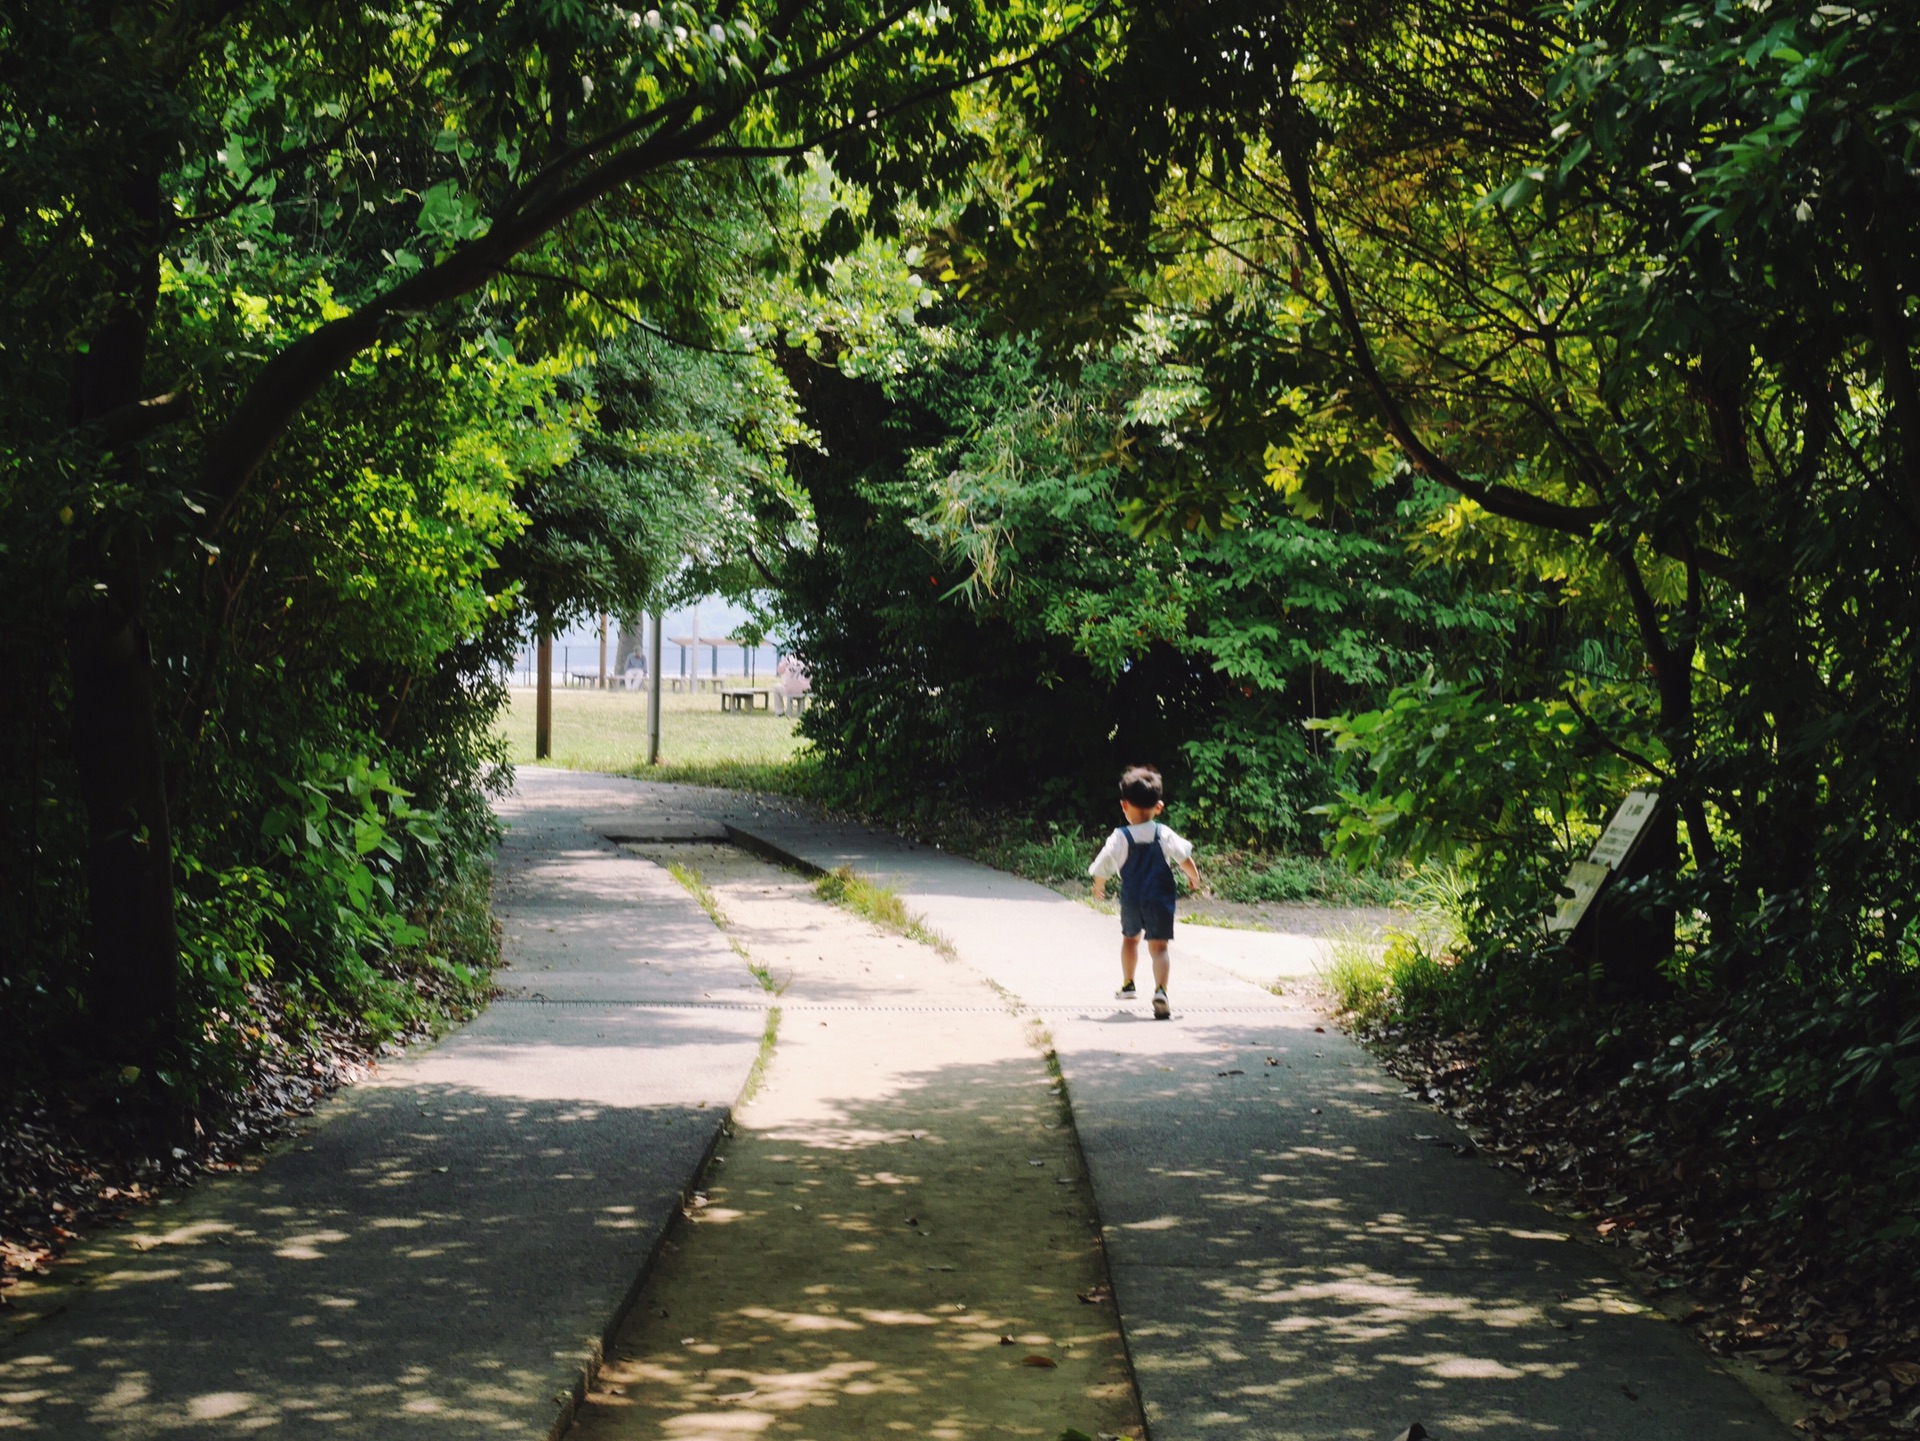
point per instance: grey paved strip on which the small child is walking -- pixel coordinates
(1295, 1248)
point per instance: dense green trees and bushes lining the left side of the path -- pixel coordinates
(329, 367)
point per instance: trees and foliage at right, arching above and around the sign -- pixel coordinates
(1635, 287)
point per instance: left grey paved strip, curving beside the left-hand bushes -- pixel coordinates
(444, 1248)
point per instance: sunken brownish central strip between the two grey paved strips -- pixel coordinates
(900, 1196)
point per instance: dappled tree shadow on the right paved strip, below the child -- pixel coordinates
(1301, 1252)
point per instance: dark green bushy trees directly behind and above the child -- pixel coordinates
(988, 630)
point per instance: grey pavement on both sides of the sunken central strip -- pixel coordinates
(444, 1250)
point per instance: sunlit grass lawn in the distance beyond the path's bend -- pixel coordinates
(608, 732)
